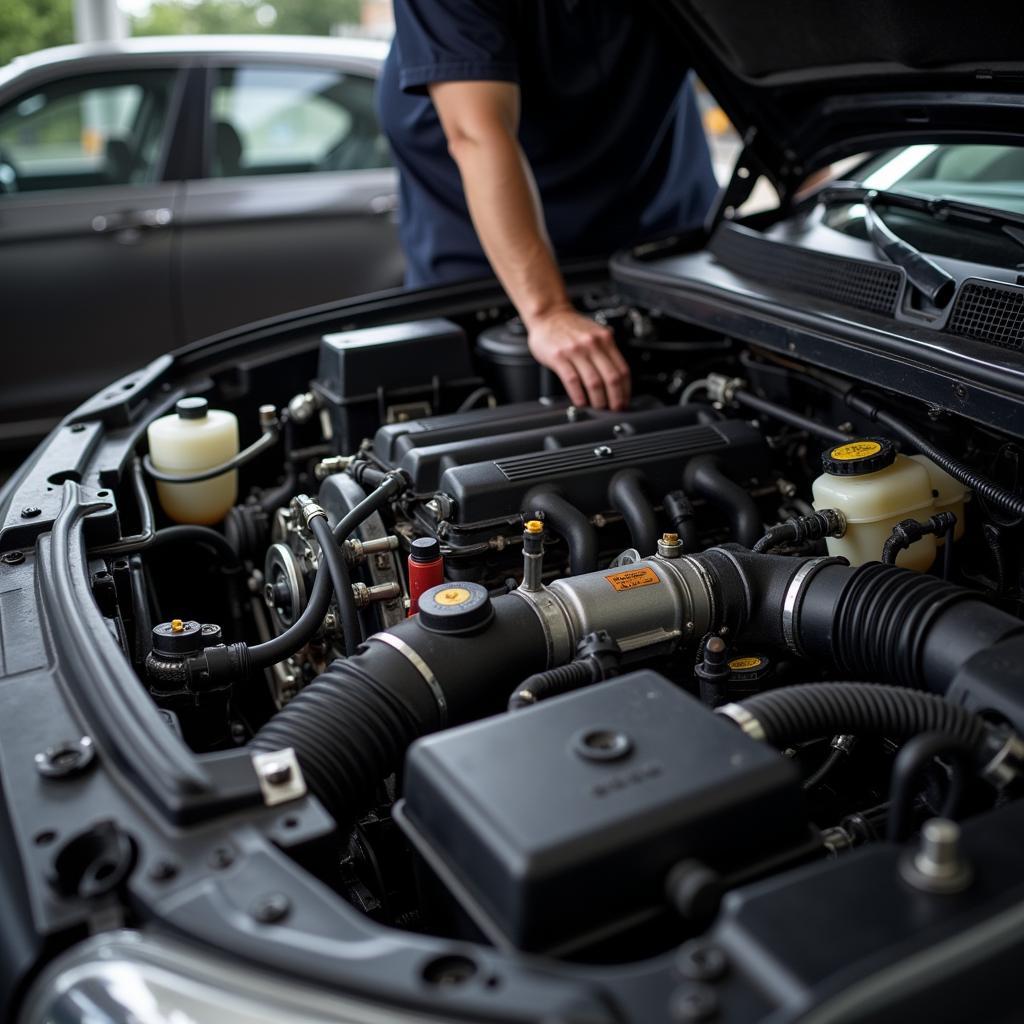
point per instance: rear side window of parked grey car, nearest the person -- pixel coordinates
(293, 120)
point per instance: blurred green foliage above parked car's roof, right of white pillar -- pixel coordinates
(314, 18)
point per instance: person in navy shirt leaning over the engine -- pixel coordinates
(531, 131)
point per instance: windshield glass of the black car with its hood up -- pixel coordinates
(988, 176)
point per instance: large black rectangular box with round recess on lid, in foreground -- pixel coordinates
(560, 823)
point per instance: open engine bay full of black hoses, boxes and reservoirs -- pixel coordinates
(570, 682)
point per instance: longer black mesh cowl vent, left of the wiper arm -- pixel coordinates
(847, 282)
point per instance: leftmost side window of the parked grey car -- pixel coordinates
(105, 130)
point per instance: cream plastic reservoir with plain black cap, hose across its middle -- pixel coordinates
(194, 439)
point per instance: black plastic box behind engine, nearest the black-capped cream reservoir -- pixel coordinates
(391, 374)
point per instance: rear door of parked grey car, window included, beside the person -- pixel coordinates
(297, 206)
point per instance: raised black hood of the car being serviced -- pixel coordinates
(809, 81)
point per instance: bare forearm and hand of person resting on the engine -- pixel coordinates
(481, 122)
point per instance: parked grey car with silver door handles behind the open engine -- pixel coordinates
(158, 191)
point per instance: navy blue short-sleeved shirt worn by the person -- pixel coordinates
(609, 124)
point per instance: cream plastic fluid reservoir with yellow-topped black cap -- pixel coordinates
(875, 489)
